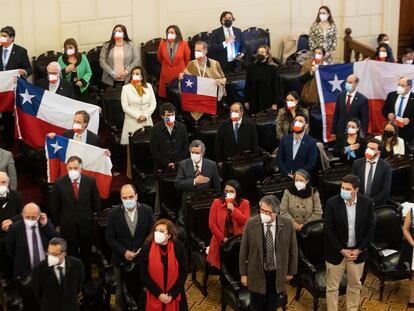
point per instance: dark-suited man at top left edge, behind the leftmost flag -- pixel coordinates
(12, 57)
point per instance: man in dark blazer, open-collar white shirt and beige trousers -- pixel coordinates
(349, 222)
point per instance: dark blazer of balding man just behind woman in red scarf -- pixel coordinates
(118, 236)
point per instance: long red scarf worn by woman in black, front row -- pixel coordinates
(156, 273)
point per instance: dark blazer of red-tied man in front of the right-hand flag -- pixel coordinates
(358, 109)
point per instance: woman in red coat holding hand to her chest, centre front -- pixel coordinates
(228, 216)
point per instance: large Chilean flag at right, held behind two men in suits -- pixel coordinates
(376, 80)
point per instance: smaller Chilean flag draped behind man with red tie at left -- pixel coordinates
(94, 161)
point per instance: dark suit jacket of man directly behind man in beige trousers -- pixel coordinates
(381, 183)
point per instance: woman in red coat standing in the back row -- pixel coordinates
(173, 55)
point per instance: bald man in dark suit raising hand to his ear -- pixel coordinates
(28, 238)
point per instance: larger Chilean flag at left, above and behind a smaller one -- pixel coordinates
(39, 112)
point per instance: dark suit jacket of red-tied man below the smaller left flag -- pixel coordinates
(70, 213)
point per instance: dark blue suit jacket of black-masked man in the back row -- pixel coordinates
(216, 49)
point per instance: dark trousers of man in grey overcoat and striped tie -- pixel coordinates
(267, 302)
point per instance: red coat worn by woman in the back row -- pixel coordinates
(170, 69)
